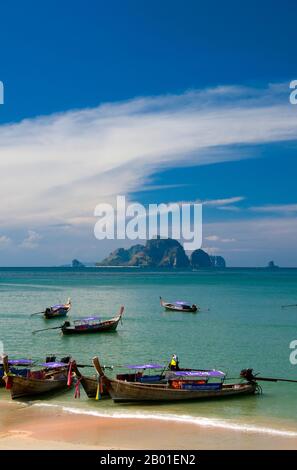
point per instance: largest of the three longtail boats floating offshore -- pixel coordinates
(88, 325)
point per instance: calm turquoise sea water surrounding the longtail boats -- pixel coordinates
(245, 327)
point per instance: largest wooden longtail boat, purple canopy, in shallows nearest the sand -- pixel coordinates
(178, 389)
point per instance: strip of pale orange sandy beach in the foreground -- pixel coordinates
(53, 427)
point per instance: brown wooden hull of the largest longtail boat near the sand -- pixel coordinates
(135, 392)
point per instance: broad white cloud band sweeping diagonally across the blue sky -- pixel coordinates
(65, 164)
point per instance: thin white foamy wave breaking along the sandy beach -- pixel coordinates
(198, 421)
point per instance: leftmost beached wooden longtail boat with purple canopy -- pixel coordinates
(53, 377)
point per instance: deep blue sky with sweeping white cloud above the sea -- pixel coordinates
(160, 101)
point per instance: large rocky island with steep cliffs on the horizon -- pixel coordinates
(161, 253)
